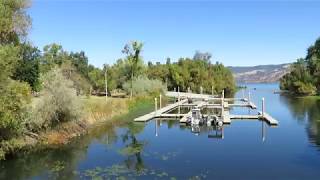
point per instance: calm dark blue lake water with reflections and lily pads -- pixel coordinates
(246, 149)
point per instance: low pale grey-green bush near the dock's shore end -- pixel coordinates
(144, 86)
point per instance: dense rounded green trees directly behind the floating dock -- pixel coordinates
(192, 74)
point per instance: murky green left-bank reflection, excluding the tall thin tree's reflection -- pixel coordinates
(60, 162)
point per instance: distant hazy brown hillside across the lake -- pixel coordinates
(259, 74)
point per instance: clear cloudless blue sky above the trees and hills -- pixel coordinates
(237, 33)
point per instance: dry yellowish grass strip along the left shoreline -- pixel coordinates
(96, 110)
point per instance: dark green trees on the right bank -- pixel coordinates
(304, 78)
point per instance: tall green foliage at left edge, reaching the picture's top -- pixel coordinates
(14, 25)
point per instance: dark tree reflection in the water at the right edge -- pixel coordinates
(306, 110)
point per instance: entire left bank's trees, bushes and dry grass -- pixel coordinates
(44, 94)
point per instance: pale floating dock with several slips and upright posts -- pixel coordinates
(201, 101)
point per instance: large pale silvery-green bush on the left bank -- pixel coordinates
(58, 102)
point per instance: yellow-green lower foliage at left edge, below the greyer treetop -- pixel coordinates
(13, 95)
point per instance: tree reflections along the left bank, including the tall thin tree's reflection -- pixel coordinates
(62, 162)
